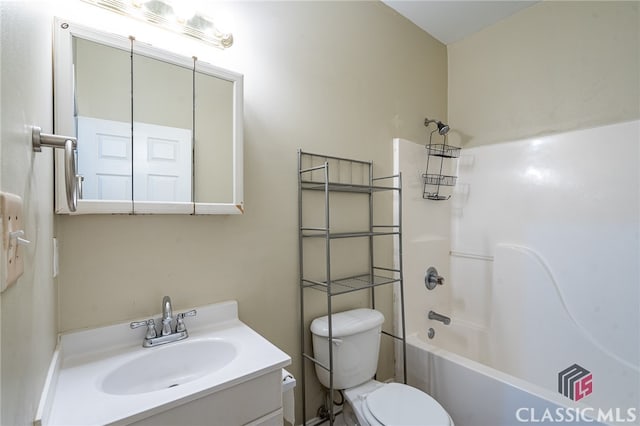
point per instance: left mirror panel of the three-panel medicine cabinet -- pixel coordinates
(102, 115)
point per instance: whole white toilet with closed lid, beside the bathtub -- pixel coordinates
(356, 343)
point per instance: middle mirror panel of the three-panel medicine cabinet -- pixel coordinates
(162, 131)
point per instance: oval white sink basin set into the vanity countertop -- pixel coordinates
(169, 366)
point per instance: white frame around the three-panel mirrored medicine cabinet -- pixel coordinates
(64, 87)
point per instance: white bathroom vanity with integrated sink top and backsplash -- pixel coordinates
(105, 376)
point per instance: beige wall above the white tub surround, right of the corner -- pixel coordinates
(554, 67)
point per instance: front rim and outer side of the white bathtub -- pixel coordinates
(477, 395)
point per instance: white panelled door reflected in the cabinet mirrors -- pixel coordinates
(161, 154)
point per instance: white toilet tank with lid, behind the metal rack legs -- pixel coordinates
(356, 343)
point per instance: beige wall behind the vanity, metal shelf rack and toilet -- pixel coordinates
(341, 78)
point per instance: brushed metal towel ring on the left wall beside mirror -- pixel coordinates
(70, 145)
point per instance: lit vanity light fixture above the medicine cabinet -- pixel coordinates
(176, 15)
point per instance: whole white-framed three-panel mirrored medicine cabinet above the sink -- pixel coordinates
(157, 132)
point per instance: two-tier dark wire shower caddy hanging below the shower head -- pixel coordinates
(433, 178)
